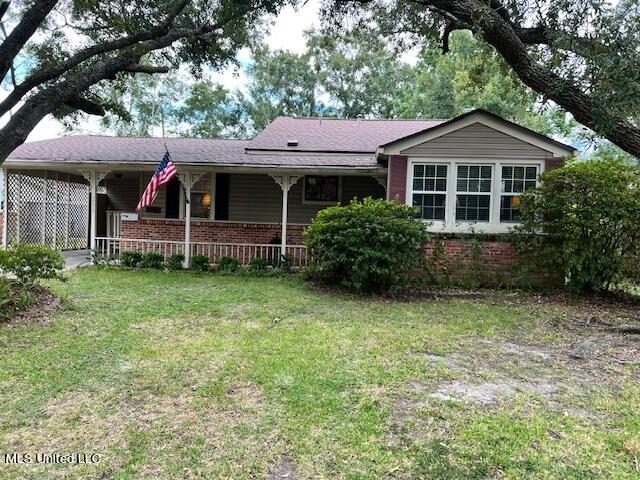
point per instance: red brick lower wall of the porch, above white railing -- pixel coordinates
(222, 232)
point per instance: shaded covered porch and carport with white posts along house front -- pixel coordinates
(240, 212)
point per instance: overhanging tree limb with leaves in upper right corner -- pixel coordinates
(581, 54)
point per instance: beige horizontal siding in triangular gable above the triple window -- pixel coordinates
(477, 141)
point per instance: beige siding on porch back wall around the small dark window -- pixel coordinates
(257, 198)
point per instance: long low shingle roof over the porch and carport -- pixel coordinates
(99, 148)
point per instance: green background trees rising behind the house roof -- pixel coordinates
(349, 76)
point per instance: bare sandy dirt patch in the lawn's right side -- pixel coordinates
(489, 373)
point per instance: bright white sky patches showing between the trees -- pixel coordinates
(286, 34)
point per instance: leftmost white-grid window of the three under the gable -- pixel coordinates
(430, 191)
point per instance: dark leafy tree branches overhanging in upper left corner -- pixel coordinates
(56, 55)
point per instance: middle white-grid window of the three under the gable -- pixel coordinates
(473, 199)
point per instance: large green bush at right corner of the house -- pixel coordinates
(584, 218)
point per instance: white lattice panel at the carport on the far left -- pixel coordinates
(50, 209)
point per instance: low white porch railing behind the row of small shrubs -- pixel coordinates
(110, 247)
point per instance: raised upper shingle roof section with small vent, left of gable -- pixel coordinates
(335, 135)
